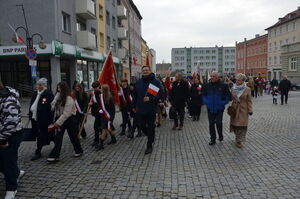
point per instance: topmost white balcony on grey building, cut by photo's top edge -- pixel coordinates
(85, 9)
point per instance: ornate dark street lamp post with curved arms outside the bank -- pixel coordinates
(29, 43)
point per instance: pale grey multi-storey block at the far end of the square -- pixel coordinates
(221, 59)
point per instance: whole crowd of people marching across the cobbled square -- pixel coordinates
(143, 107)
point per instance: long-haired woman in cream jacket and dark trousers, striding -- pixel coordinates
(64, 107)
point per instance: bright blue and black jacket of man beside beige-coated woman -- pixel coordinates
(216, 96)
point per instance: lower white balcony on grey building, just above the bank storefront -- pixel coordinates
(86, 39)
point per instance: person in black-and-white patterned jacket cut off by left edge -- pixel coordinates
(10, 138)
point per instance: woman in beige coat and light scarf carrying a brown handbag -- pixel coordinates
(242, 103)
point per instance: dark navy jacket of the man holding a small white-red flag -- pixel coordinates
(141, 86)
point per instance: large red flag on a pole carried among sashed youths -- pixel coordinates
(108, 77)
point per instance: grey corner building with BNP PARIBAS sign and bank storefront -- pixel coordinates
(68, 29)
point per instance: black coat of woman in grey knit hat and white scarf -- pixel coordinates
(44, 113)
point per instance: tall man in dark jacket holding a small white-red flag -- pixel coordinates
(145, 101)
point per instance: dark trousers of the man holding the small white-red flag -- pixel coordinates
(147, 125)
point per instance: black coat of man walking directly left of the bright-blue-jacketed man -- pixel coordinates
(179, 94)
